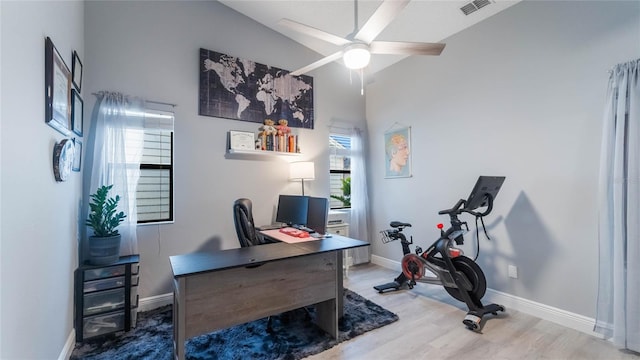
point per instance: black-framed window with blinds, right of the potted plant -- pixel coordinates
(154, 188)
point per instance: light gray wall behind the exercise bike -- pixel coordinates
(520, 94)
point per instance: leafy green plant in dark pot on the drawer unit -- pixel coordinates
(104, 245)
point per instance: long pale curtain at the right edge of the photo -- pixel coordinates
(618, 305)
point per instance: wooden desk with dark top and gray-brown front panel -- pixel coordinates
(220, 289)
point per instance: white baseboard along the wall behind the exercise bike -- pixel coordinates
(562, 317)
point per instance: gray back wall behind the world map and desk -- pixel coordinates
(150, 49)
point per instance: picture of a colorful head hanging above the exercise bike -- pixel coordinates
(397, 144)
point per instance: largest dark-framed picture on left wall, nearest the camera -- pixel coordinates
(57, 90)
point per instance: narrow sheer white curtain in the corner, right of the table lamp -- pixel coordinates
(359, 227)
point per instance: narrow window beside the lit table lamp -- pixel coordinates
(340, 171)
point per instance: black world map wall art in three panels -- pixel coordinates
(239, 89)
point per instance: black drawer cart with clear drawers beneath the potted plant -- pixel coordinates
(106, 297)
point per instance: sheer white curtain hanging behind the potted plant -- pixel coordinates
(116, 144)
